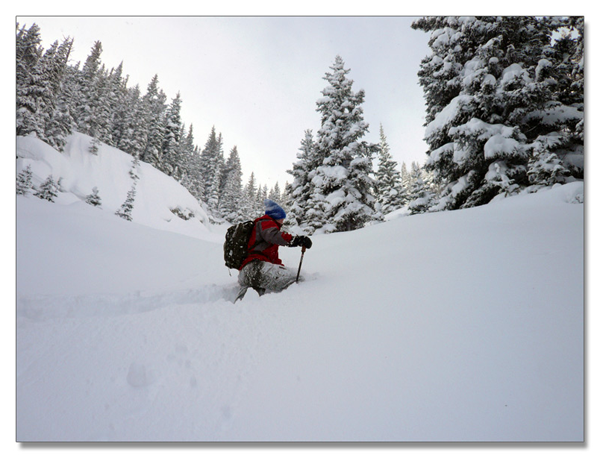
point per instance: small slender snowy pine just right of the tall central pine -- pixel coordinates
(391, 195)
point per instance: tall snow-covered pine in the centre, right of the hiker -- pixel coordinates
(341, 195)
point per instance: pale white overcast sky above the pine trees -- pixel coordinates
(257, 79)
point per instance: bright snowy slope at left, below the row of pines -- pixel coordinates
(156, 193)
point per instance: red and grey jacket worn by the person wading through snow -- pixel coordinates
(265, 240)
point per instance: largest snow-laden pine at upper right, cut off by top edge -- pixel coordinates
(485, 102)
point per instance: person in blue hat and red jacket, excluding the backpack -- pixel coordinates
(262, 270)
